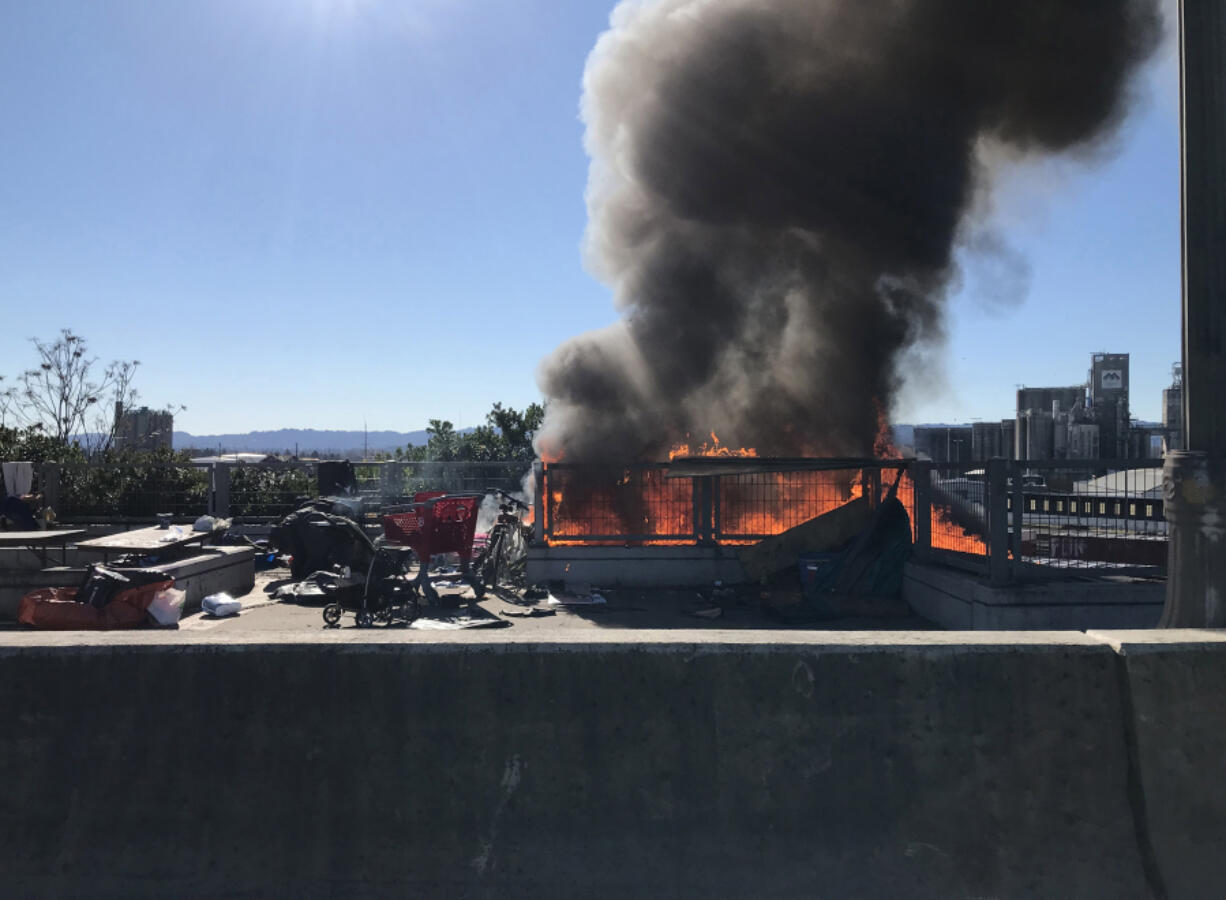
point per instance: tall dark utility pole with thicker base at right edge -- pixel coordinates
(1196, 479)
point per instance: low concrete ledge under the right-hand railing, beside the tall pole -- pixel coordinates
(958, 600)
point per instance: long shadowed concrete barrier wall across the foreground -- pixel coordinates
(927, 767)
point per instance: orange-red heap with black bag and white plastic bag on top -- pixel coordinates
(106, 599)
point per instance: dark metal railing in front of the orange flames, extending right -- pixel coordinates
(1008, 521)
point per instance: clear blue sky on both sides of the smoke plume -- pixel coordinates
(321, 213)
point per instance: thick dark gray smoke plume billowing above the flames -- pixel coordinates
(777, 192)
